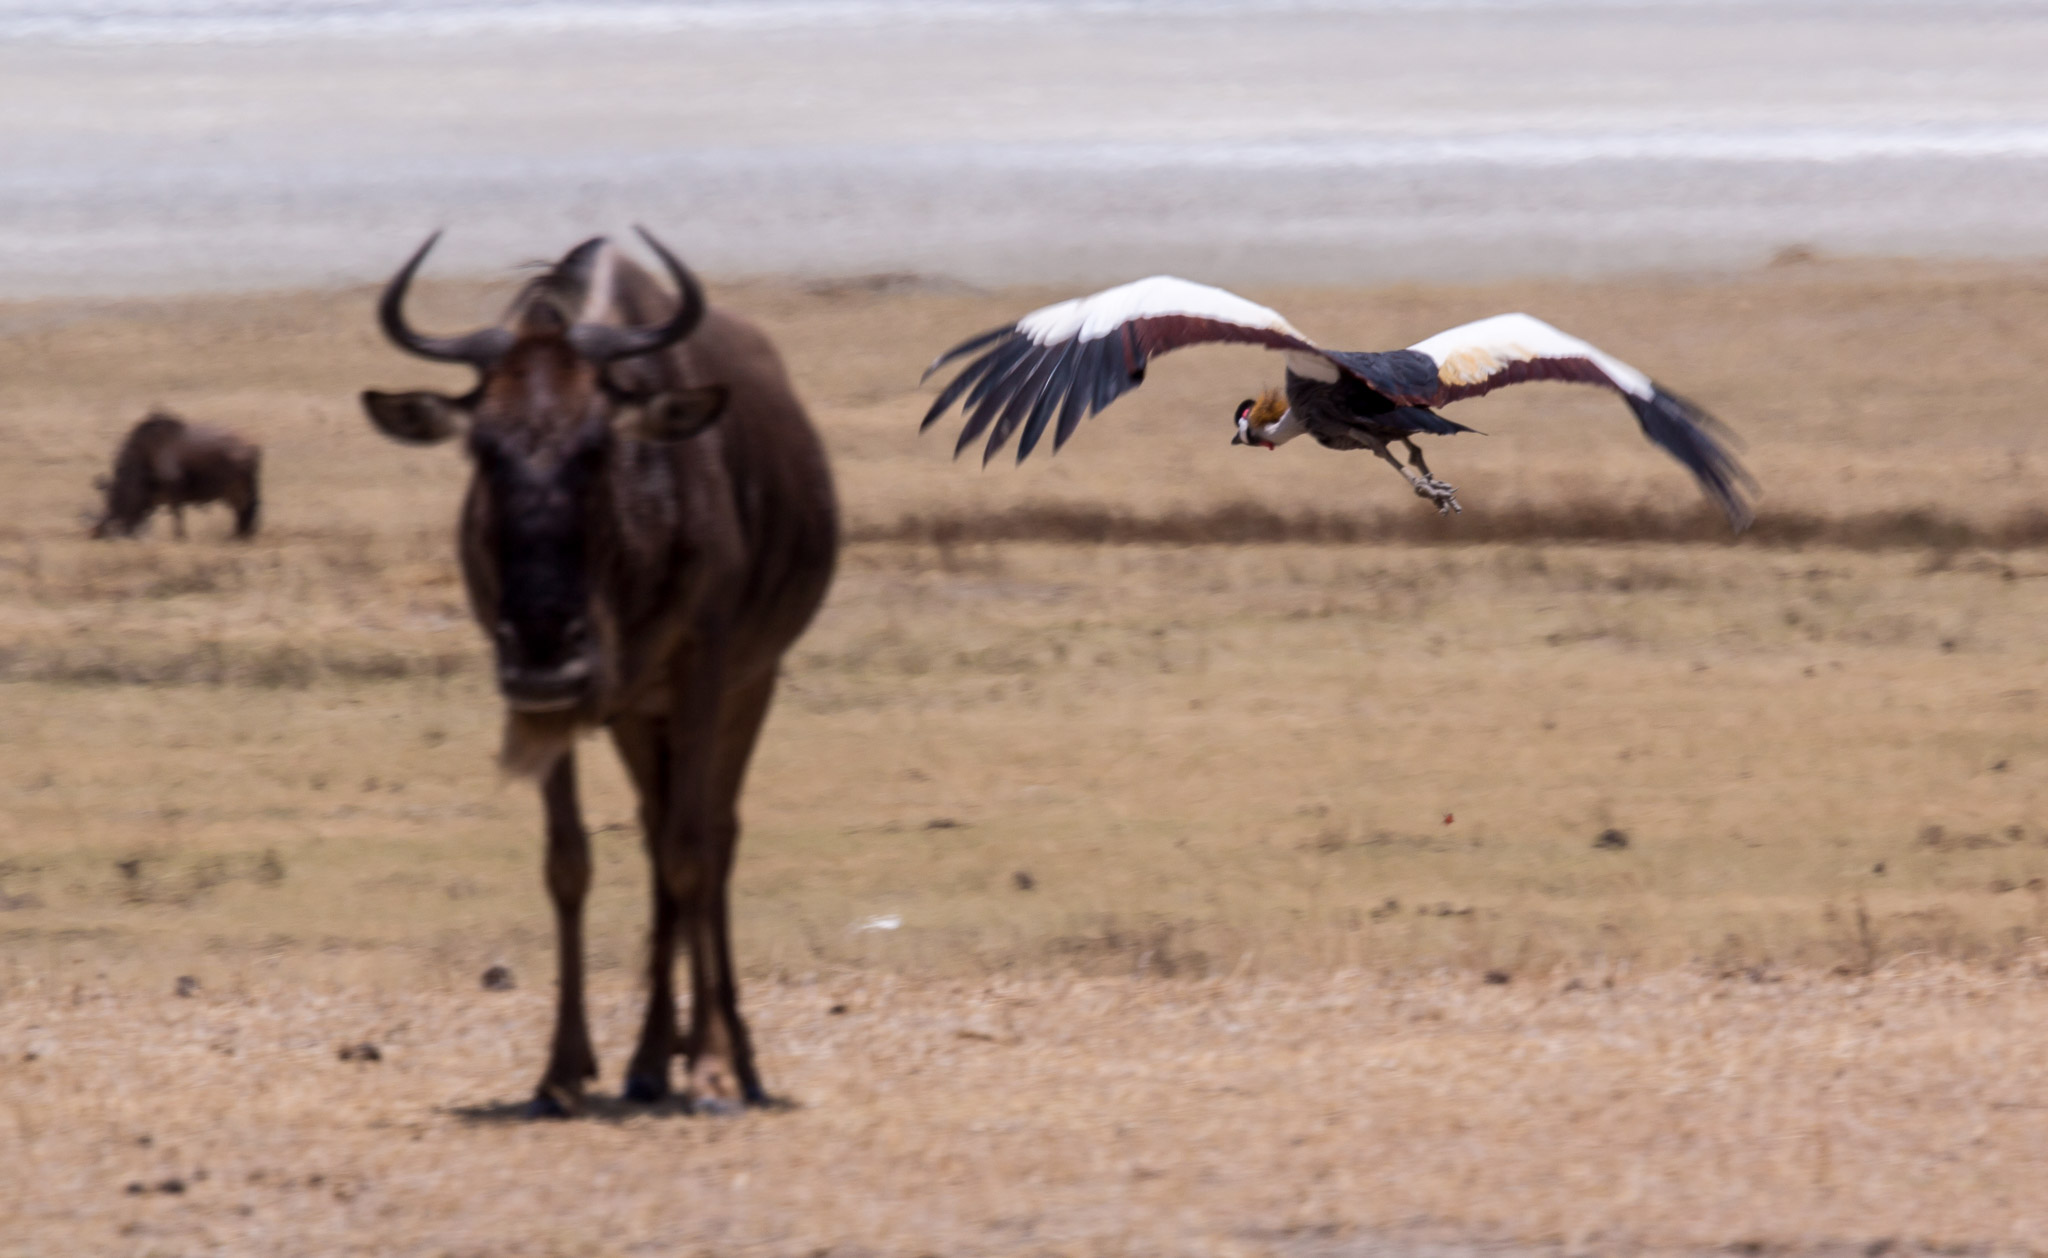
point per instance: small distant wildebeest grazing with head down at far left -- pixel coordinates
(169, 462)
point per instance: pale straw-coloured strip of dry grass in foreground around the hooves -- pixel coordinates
(1334, 1116)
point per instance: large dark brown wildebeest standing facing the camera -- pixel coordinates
(650, 526)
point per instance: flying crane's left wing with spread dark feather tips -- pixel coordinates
(1076, 358)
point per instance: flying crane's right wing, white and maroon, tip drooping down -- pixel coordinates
(1510, 349)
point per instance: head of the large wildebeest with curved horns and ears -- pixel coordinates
(550, 409)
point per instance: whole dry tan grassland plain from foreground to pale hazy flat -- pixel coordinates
(1314, 952)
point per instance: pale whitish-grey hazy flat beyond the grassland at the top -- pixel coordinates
(177, 144)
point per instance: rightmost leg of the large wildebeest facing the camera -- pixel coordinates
(722, 1056)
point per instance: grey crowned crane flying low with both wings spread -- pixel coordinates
(1076, 358)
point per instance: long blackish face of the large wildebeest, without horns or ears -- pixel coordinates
(542, 532)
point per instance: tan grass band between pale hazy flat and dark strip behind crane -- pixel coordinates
(1863, 388)
